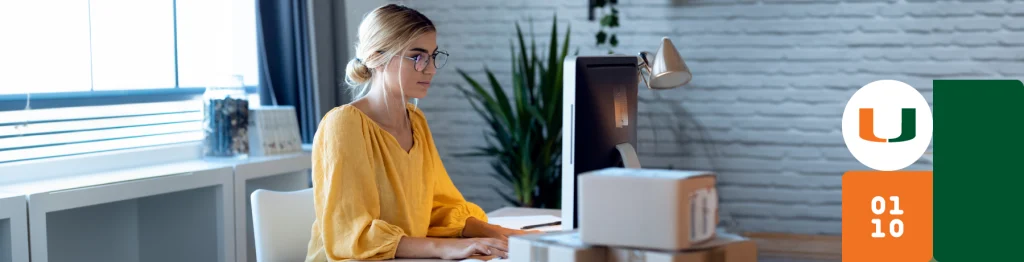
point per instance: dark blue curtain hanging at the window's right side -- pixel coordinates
(286, 69)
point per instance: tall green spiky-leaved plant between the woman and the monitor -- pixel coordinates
(525, 135)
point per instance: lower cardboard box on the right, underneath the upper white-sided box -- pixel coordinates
(726, 248)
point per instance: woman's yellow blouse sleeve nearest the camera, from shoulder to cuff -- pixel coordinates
(347, 200)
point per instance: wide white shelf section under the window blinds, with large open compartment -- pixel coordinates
(175, 212)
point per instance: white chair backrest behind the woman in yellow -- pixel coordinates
(281, 225)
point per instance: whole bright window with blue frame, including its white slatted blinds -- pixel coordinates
(86, 76)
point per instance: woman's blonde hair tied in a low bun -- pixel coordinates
(385, 33)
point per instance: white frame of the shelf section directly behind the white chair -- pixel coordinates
(281, 173)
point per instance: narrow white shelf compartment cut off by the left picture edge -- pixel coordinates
(14, 229)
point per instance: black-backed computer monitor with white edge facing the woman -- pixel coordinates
(600, 121)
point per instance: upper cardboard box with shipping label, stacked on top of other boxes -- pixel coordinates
(648, 209)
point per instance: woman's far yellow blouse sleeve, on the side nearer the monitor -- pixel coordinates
(448, 217)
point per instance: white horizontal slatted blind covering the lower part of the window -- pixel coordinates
(34, 135)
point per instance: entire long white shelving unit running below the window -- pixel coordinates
(196, 210)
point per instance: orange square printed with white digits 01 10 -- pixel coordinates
(887, 216)
